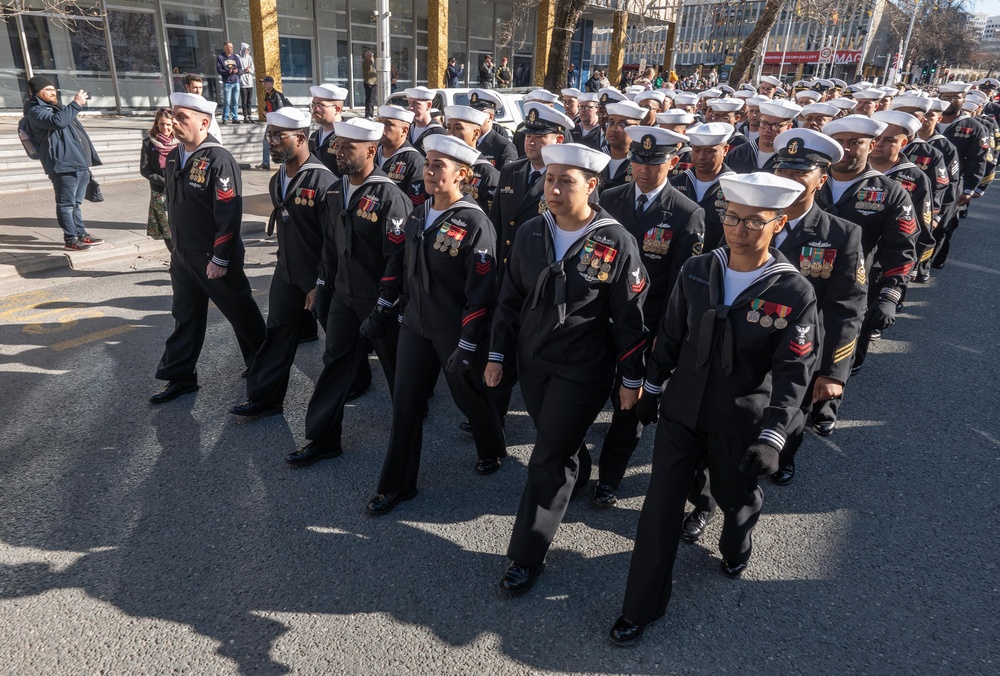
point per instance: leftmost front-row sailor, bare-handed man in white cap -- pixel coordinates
(205, 206)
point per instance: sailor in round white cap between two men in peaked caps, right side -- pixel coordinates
(709, 145)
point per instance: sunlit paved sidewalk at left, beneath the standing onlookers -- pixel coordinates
(31, 241)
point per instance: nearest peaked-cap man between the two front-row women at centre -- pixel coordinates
(520, 198)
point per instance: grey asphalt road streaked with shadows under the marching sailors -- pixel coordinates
(136, 539)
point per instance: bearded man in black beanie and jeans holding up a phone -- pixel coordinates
(66, 153)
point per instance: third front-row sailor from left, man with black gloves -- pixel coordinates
(359, 281)
